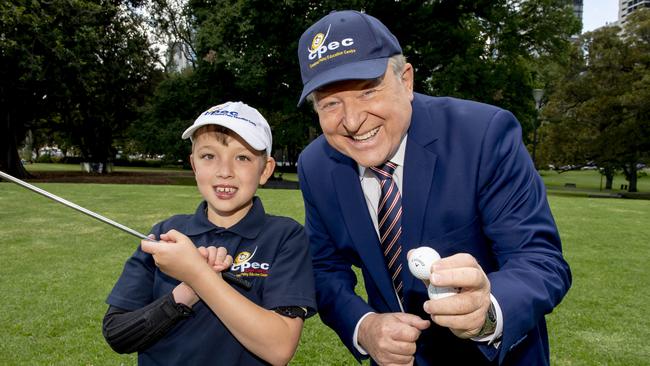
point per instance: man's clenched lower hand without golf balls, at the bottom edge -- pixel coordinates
(390, 338)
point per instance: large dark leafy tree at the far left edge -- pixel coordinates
(77, 67)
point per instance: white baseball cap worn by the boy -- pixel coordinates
(239, 117)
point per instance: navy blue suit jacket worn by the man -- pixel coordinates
(469, 186)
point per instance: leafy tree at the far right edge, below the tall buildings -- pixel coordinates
(600, 112)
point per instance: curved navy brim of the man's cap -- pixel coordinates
(360, 70)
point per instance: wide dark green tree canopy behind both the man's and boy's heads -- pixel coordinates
(485, 50)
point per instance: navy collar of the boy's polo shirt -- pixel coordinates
(248, 227)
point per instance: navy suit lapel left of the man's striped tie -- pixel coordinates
(359, 224)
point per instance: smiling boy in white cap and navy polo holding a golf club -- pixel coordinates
(171, 304)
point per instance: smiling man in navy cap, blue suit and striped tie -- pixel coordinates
(459, 180)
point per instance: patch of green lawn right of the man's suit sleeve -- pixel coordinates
(603, 320)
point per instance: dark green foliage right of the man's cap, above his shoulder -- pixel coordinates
(489, 51)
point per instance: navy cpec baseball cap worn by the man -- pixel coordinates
(344, 45)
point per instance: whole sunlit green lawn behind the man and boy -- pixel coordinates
(58, 266)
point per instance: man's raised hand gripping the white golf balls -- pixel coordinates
(464, 313)
